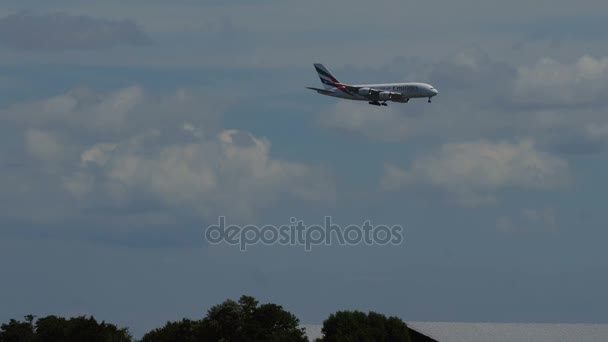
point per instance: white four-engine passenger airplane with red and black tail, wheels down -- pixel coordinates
(375, 94)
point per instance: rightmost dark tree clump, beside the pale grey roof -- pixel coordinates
(356, 326)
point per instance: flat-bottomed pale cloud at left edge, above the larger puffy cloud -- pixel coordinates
(118, 113)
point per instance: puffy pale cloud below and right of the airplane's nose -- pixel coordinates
(472, 172)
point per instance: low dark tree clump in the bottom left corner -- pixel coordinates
(56, 329)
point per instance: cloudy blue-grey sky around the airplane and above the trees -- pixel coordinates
(127, 128)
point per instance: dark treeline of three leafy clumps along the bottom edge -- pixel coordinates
(244, 320)
